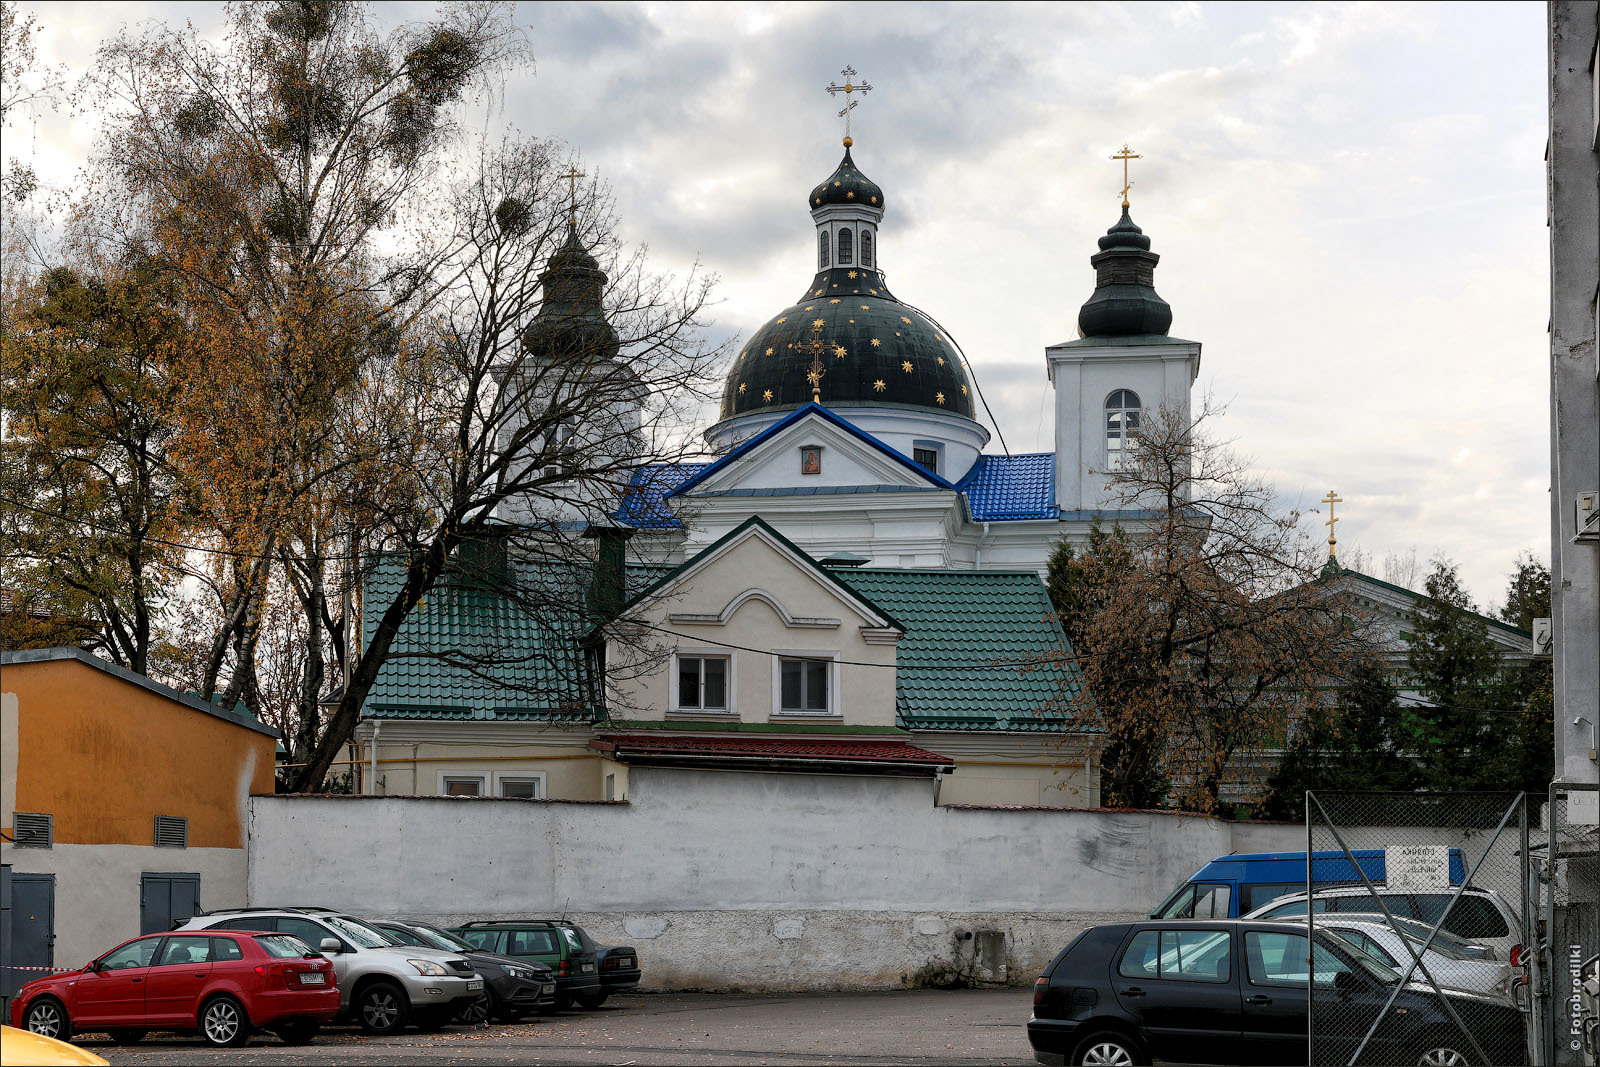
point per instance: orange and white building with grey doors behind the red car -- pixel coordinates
(124, 805)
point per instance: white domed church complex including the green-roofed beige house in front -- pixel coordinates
(850, 583)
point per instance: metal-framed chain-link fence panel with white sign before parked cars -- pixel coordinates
(1422, 913)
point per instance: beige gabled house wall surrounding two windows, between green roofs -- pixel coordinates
(751, 605)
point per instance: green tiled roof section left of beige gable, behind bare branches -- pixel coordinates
(473, 653)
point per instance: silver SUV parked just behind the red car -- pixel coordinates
(382, 985)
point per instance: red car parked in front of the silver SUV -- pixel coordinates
(223, 985)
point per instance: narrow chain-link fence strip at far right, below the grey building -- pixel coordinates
(1572, 924)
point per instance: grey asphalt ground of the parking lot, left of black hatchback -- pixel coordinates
(906, 1028)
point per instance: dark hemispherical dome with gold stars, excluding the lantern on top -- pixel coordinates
(878, 353)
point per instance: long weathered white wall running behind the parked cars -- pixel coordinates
(732, 881)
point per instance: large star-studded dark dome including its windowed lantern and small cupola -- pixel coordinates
(871, 350)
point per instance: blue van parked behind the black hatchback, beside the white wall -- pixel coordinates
(1238, 885)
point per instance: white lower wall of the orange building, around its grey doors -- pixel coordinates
(98, 889)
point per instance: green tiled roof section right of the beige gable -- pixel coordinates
(975, 649)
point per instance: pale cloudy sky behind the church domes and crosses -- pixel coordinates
(1348, 201)
